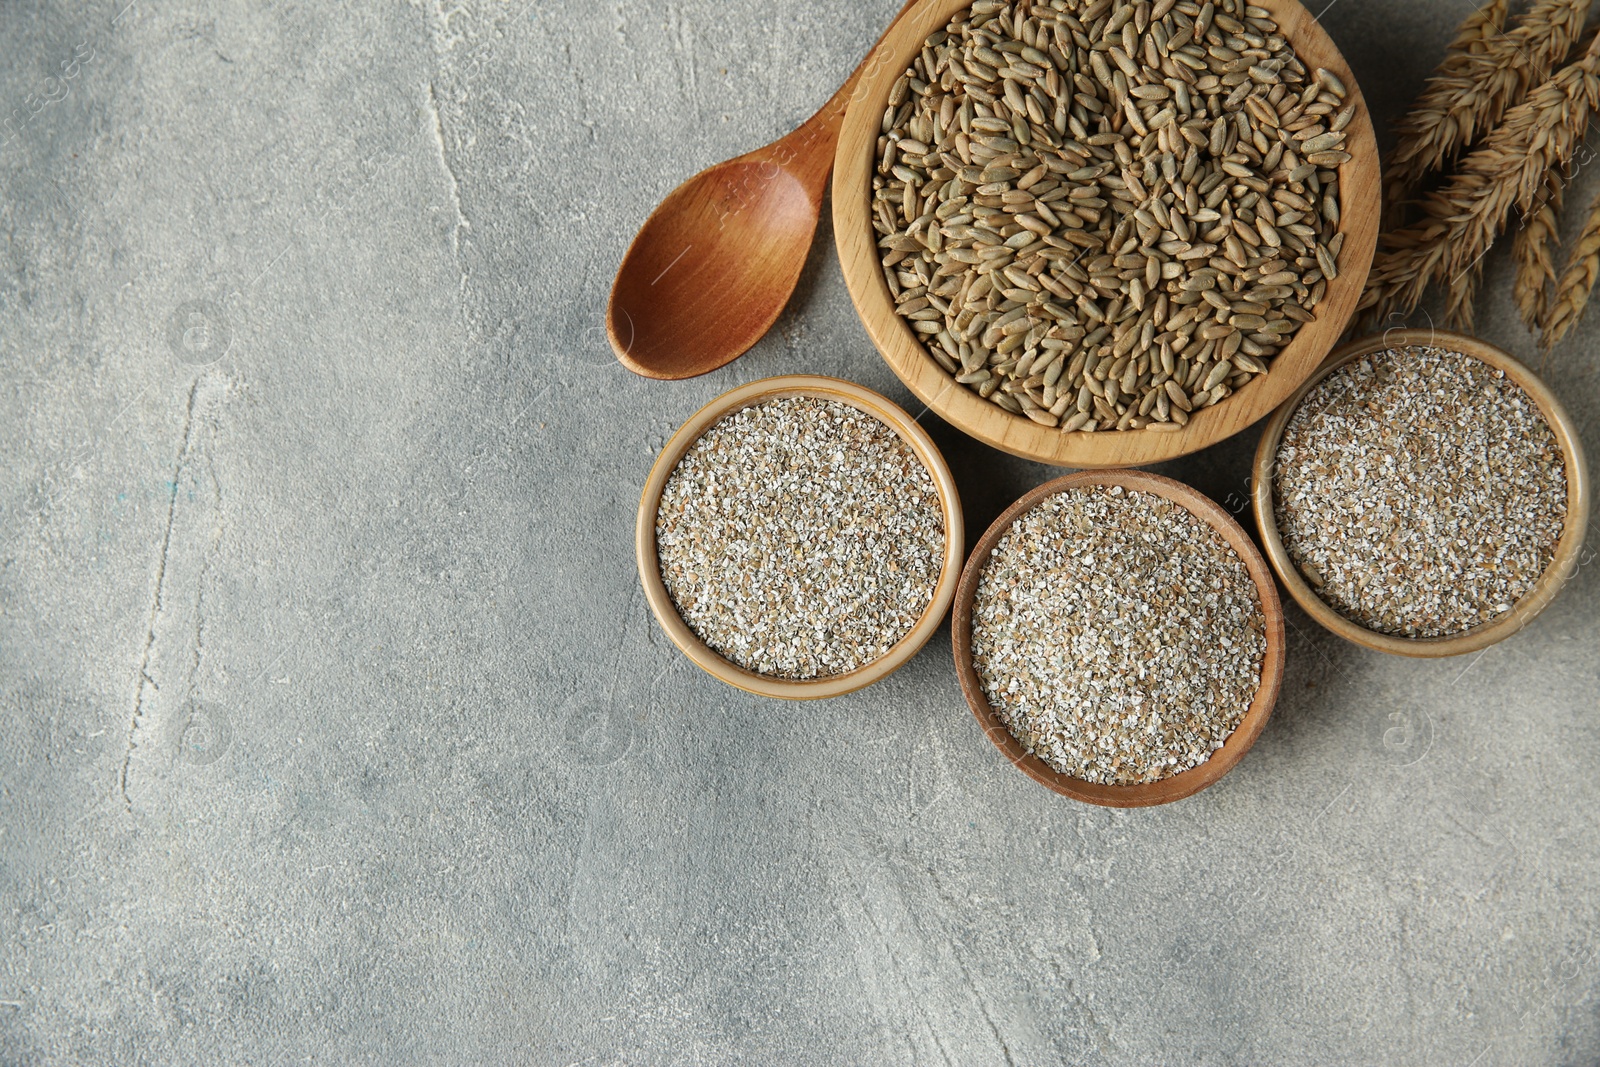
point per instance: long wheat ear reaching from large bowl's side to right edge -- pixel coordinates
(1465, 217)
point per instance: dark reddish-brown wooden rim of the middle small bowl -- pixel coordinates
(1178, 786)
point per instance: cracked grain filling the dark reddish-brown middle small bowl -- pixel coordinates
(1118, 636)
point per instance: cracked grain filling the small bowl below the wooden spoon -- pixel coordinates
(801, 538)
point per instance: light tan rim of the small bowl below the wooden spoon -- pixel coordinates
(743, 398)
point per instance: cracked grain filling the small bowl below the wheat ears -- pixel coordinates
(1420, 492)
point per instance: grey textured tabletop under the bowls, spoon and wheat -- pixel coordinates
(337, 729)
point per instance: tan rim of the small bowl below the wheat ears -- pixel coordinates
(1556, 577)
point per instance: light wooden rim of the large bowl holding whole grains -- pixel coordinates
(966, 410)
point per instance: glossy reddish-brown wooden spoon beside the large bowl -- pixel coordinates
(716, 262)
